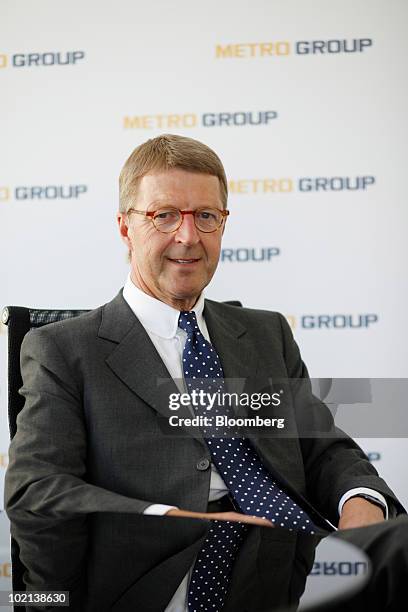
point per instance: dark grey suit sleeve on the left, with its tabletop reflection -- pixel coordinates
(47, 496)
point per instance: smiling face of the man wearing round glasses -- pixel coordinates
(173, 268)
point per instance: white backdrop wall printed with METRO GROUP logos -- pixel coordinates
(305, 102)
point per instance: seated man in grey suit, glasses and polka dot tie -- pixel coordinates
(103, 499)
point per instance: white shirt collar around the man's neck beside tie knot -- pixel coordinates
(156, 316)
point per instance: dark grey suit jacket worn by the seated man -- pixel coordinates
(92, 452)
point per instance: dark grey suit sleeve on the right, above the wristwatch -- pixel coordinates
(334, 463)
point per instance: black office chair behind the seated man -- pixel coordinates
(19, 321)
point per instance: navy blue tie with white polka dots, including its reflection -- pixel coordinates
(253, 489)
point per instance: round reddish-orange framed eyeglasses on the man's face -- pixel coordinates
(168, 220)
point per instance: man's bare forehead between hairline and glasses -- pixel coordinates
(180, 187)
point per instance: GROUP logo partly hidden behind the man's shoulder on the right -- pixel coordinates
(333, 321)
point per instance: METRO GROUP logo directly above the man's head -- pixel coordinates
(193, 120)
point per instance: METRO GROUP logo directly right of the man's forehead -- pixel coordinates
(305, 184)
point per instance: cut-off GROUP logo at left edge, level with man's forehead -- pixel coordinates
(42, 192)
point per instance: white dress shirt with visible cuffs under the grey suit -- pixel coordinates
(161, 323)
